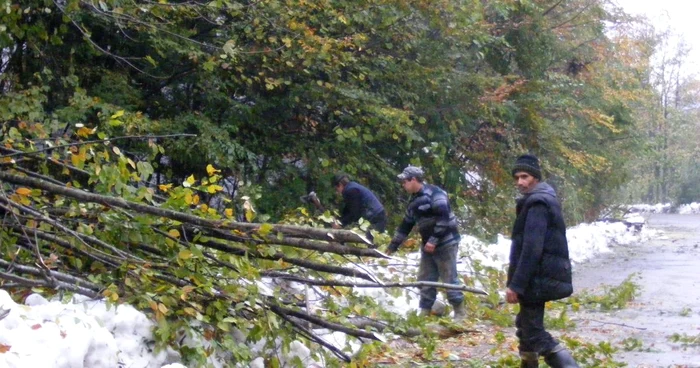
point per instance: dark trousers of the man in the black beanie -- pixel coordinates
(530, 329)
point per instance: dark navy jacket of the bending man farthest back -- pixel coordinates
(360, 202)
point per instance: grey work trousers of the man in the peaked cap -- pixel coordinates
(441, 264)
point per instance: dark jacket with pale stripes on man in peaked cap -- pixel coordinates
(429, 208)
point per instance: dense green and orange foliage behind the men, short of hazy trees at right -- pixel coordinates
(283, 93)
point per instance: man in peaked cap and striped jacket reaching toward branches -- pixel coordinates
(429, 209)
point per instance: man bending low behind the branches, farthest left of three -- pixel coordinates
(358, 202)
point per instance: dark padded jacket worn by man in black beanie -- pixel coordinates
(540, 269)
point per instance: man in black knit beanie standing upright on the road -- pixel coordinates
(539, 269)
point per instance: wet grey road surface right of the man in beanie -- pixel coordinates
(669, 302)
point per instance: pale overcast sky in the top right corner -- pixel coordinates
(682, 15)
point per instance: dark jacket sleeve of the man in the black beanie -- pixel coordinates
(533, 244)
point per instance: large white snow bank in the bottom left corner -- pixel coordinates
(77, 334)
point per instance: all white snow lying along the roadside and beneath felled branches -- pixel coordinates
(85, 333)
